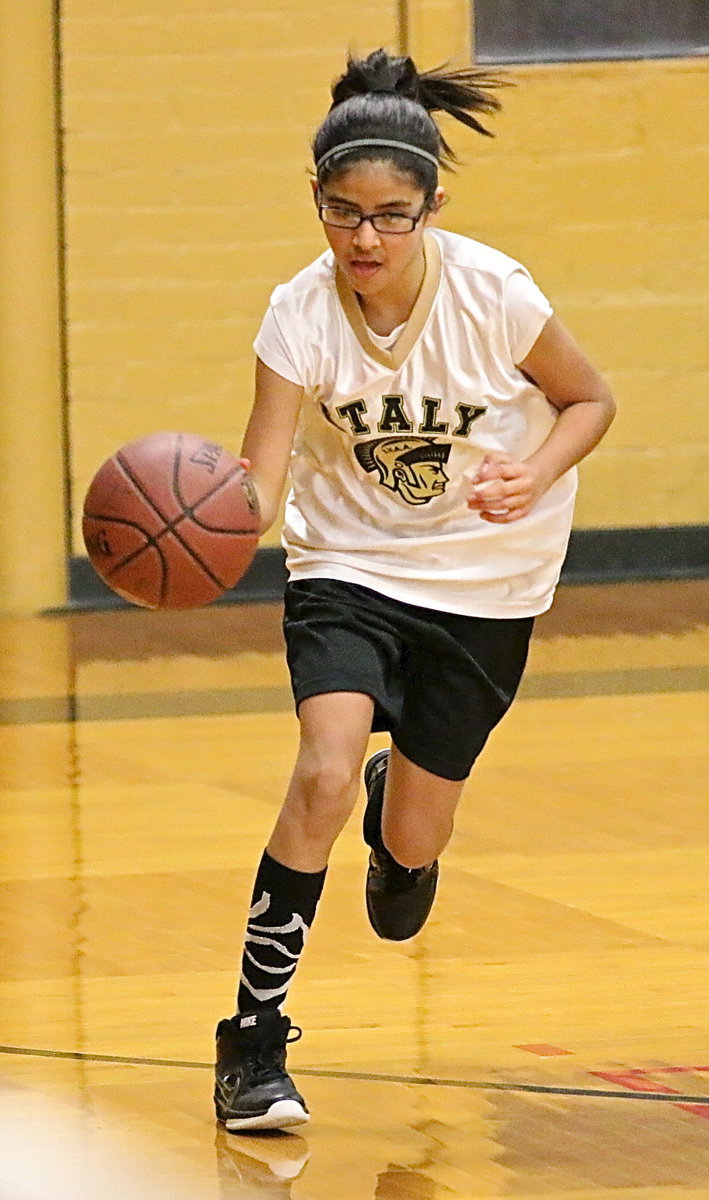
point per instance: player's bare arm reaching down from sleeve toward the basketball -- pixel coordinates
(269, 437)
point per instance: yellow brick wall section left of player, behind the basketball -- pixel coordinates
(188, 135)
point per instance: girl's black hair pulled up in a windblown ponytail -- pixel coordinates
(384, 97)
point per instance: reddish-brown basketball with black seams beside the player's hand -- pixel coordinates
(171, 521)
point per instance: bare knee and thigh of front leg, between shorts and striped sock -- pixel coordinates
(334, 735)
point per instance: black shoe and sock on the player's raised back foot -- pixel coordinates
(399, 898)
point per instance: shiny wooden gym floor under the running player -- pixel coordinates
(545, 1036)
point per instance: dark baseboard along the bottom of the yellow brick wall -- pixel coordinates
(596, 556)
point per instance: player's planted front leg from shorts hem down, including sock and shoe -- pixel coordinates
(253, 1090)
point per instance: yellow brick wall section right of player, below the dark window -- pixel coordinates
(599, 182)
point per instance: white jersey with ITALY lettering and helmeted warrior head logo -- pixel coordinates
(388, 440)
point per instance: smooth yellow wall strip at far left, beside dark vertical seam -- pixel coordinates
(33, 527)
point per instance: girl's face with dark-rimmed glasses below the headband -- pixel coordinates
(378, 263)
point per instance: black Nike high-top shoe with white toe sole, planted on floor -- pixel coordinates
(253, 1088)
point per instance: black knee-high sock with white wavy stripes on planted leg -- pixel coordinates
(283, 910)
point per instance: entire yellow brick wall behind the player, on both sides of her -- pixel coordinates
(188, 131)
